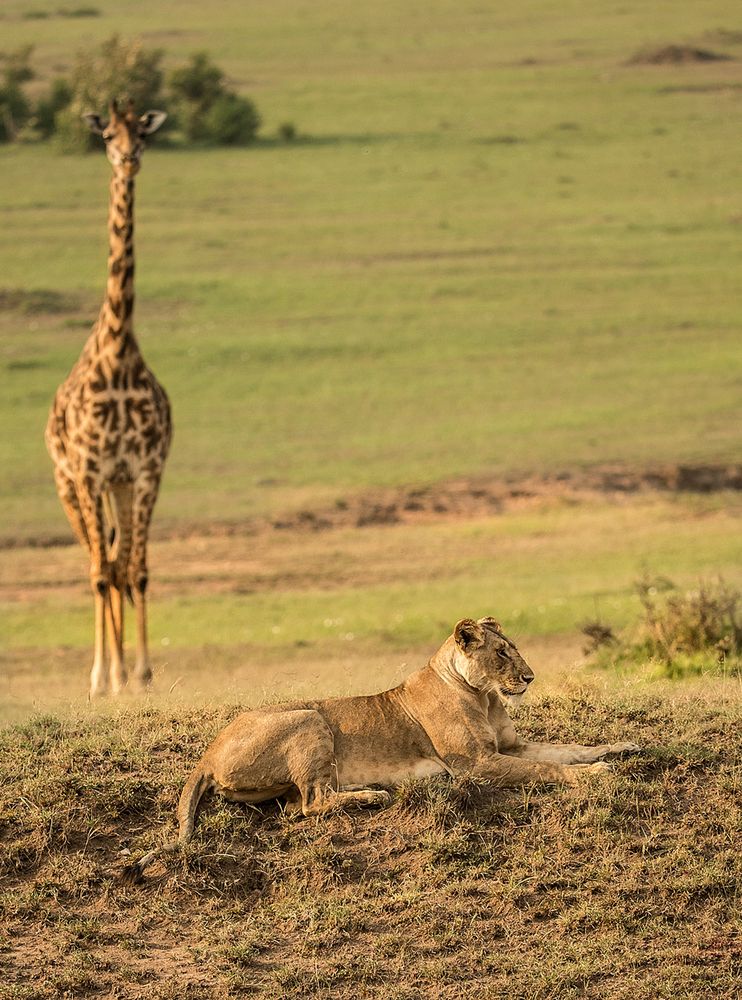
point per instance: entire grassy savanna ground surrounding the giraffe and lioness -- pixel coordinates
(469, 345)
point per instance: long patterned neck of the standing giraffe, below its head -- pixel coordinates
(115, 332)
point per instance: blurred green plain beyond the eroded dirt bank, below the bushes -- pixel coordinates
(410, 295)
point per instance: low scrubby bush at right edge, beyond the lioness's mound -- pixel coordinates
(682, 631)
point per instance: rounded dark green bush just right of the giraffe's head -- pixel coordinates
(206, 109)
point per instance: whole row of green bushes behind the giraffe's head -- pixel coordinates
(201, 106)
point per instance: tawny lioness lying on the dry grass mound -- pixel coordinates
(448, 717)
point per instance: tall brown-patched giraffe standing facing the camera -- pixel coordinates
(109, 427)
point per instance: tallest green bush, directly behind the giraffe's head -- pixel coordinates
(117, 70)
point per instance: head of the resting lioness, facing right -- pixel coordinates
(490, 662)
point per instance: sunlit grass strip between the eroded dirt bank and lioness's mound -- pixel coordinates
(352, 610)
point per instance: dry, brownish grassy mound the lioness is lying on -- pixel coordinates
(623, 888)
